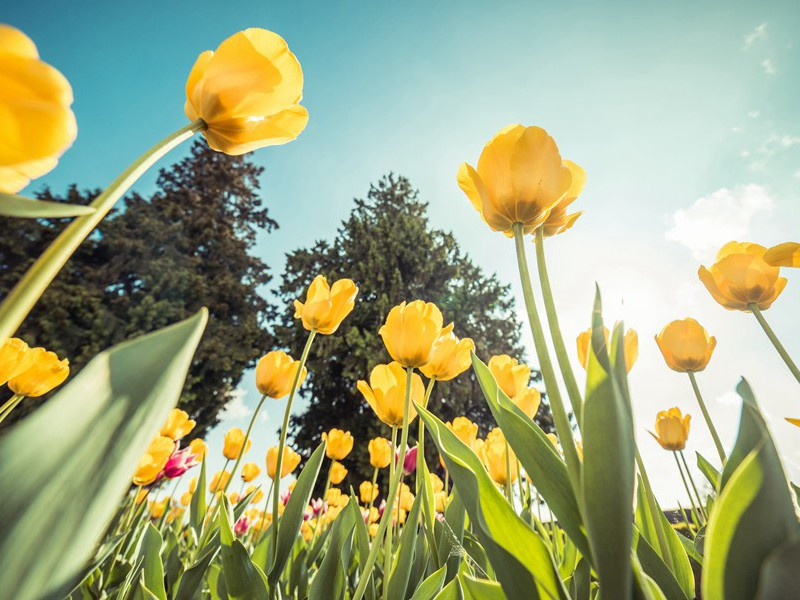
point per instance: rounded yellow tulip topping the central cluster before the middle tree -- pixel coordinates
(410, 331)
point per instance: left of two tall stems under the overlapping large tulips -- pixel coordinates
(563, 427)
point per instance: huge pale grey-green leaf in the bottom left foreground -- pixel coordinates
(95, 430)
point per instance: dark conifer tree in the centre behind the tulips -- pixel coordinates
(389, 249)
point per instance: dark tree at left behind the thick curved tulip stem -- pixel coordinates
(154, 262)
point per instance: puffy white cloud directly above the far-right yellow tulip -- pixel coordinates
(713, 220)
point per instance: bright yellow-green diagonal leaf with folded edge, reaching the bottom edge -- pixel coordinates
(521, 560)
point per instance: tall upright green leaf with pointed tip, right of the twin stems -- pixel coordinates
(608, 467)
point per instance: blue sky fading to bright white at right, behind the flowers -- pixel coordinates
(683, 114)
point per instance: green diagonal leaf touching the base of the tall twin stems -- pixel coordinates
(536, 453)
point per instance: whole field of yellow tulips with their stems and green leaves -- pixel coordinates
(93, 512)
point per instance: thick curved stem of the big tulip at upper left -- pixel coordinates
(20, 300)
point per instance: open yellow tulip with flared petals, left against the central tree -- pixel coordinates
(326, 306)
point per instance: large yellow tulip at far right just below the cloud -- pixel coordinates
(740, 277)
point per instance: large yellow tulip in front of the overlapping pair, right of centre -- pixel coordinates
(520, 178)
